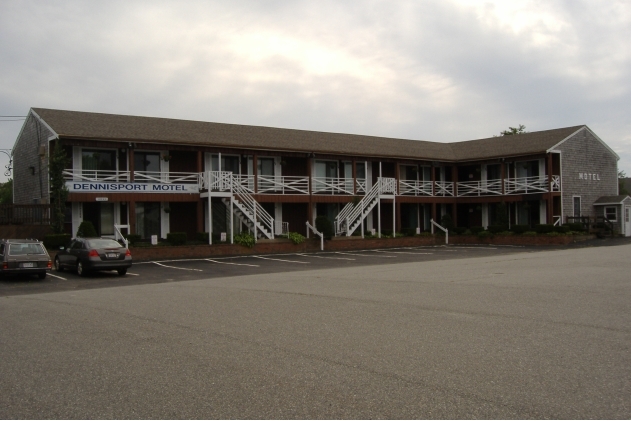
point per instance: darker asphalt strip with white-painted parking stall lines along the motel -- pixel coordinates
(189, 269)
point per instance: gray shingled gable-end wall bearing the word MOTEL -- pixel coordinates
(584, 154)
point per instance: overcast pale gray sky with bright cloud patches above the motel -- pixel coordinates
(429, 70)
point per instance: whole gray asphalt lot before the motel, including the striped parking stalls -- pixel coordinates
(467, 332)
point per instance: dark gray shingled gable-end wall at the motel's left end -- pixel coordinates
(31, 188)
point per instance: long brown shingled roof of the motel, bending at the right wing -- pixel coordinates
(84, 125)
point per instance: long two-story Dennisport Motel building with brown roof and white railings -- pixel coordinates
(153, 176)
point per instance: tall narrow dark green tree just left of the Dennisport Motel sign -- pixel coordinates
(58, 191)
